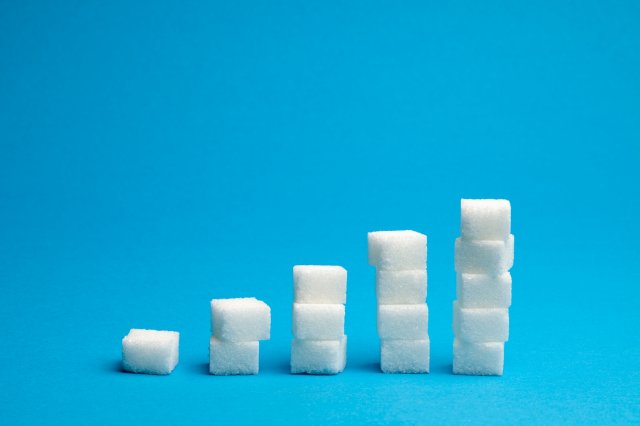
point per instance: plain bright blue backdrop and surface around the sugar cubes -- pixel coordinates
(157, 155)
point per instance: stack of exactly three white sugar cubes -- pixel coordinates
(319, 345)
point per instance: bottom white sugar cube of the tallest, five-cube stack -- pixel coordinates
(481, 359)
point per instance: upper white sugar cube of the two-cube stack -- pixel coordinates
(240, 320)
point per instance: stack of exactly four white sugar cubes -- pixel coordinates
(400, 258)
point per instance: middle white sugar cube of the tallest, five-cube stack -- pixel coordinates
(484, 291)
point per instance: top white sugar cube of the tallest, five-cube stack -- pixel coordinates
(485, 219)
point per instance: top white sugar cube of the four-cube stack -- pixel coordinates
(398, 250)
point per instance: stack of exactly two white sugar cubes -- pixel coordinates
(237, 326)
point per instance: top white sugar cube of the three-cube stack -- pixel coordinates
(319, 284)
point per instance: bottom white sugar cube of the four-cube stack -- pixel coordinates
(404, 356)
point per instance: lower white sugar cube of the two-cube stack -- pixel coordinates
(232, 358)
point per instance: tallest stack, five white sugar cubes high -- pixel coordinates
(483, 257)
